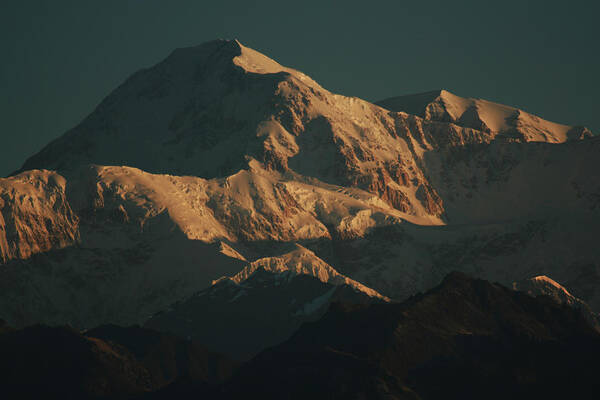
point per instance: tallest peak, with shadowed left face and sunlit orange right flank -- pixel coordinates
(206, 110)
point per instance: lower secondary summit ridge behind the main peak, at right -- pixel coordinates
(484, 115)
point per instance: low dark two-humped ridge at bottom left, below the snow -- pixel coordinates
(107, 362)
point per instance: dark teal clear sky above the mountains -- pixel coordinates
(59, 58)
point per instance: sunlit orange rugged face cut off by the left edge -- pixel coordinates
(35, 215)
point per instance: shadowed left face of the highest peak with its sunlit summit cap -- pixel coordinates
(195, 113)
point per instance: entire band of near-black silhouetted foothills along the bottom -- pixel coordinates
(466, 338)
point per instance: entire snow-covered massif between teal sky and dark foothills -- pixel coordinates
(218, 161)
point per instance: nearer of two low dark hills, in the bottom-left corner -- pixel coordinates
(43, 362)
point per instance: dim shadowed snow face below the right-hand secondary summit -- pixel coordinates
(498, 182)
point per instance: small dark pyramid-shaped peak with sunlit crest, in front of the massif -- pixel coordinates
(262, 305)
